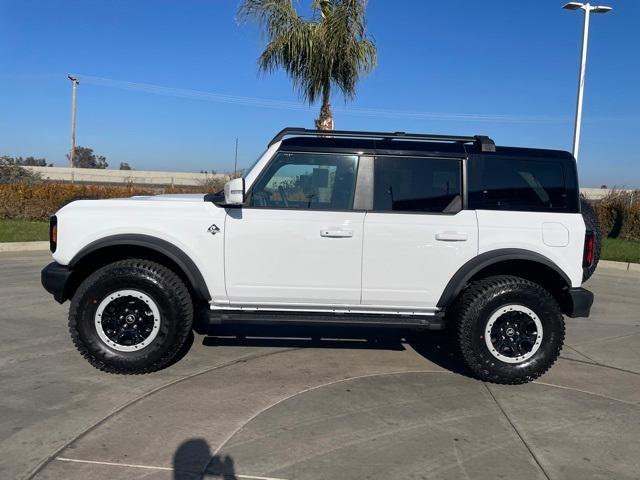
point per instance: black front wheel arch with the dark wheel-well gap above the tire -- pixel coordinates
(119, 247)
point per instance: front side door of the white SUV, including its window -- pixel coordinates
(298, 241)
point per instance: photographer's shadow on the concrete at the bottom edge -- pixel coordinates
(193, 457)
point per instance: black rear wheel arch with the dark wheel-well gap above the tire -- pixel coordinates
(509, 261)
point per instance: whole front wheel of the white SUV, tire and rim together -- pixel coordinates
(130, 317)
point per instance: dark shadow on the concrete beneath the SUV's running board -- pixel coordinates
(435, 346)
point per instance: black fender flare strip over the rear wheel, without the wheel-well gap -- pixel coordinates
(476, 264)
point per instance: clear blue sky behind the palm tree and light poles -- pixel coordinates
(505, 69)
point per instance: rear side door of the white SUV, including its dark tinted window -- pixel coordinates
(417, 234)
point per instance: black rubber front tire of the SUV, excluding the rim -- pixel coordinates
(159, 283)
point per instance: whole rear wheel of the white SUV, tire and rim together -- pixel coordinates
(509, 330)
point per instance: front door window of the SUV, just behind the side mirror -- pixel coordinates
(307, 180)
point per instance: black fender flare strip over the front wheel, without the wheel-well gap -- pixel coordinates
(181, 259)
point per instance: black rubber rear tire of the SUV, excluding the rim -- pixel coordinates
(483, 298)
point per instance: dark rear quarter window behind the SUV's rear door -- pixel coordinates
(497, 183)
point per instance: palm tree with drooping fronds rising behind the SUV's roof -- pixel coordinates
(331, 49)
